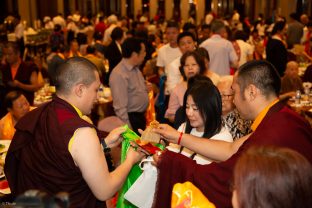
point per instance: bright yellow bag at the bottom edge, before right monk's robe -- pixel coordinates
(187, 195)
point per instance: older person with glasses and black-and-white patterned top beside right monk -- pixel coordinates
(231, 119)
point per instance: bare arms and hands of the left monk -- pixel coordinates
(89, 157)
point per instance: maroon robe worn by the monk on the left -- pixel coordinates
(38, 157)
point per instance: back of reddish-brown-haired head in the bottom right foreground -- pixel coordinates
(272, 177)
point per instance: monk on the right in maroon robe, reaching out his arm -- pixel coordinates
(256, 87)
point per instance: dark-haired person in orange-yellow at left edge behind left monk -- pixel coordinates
(17, 106)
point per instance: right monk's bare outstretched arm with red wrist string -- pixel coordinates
(213, 149)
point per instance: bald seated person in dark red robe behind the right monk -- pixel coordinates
(291, 82)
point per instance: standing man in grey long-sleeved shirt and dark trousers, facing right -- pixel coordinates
(129, 91)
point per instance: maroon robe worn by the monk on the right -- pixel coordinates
(281, 127)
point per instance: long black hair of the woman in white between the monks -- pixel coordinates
(207, 98)
